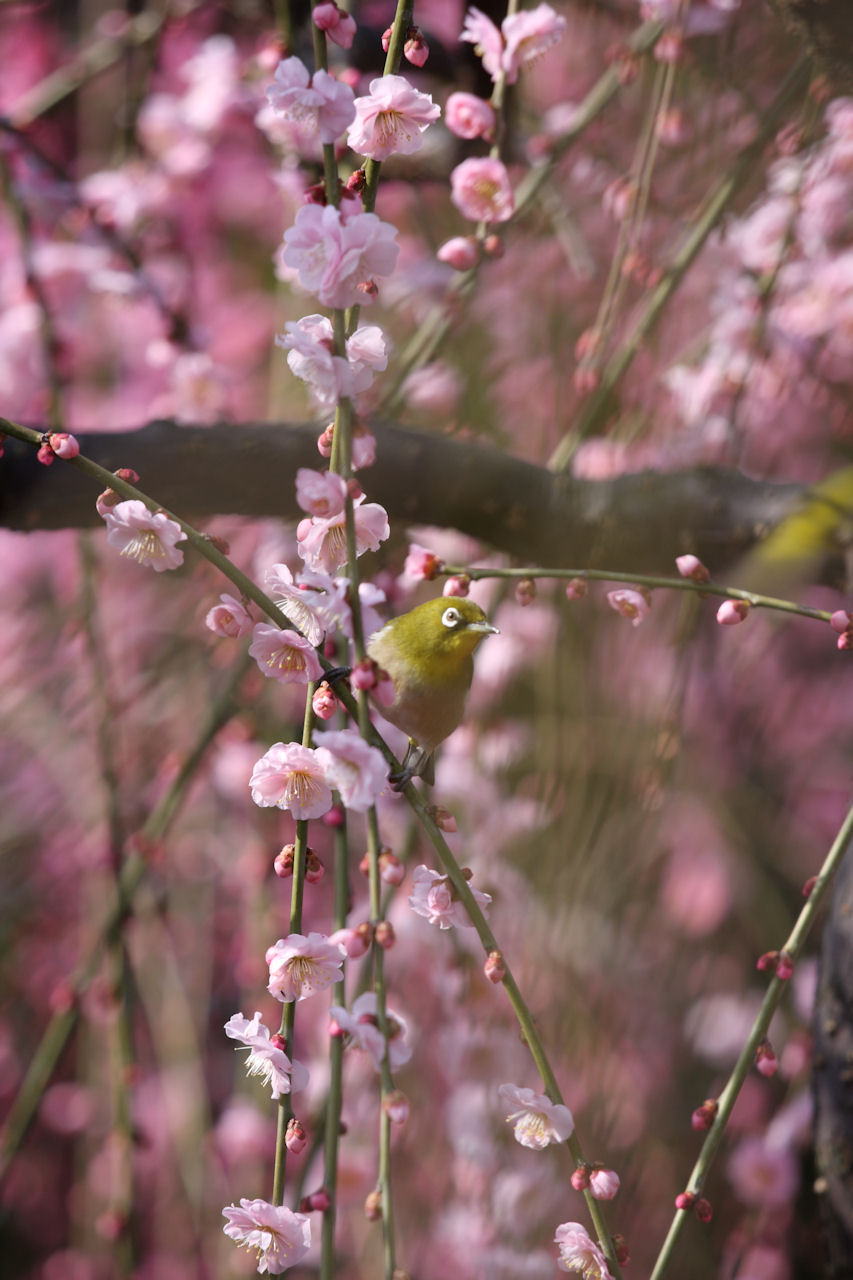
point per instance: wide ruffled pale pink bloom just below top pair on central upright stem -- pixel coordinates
(335, 257)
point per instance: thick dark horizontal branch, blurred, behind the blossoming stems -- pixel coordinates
(637, 522)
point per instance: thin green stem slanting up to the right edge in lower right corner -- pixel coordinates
(773, 998)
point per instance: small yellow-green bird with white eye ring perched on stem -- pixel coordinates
(430, 656)
